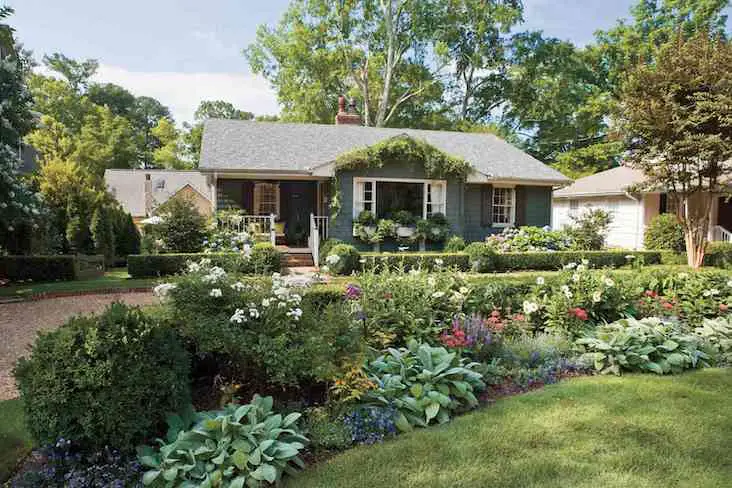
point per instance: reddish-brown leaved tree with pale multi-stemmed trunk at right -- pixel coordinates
(677, 118)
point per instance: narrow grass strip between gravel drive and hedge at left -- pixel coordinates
(116, 278)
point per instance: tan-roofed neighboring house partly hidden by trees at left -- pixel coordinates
(141, 191)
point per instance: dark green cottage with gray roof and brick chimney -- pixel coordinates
(288, 171)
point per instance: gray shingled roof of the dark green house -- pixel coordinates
(271, 146)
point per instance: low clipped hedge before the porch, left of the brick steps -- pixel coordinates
(264, 259)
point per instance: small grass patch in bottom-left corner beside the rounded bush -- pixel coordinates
(15, 443)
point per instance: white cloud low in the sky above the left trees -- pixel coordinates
(182, 92)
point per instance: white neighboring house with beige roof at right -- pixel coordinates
(632, 211)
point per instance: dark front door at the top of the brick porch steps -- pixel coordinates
(297, 202)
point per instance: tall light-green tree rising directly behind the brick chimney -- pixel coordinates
(376, 50)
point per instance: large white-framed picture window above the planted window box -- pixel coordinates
(385, 197)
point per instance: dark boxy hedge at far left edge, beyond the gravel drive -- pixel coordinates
(50, 268)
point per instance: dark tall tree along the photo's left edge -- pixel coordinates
(19, 204)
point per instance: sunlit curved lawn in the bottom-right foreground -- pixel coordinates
(634, 431)
